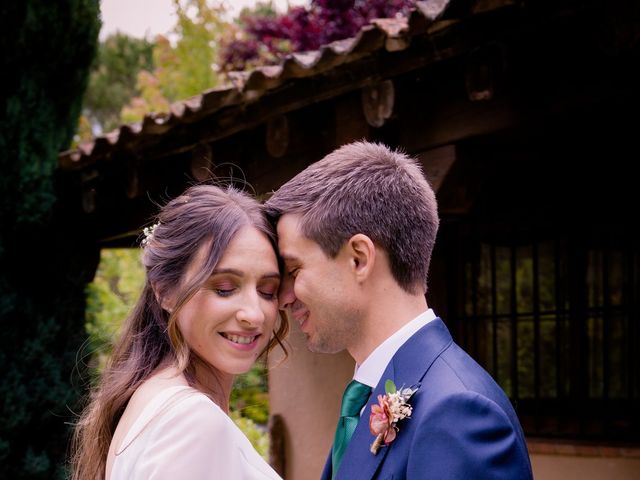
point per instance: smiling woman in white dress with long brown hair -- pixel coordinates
(208, 310)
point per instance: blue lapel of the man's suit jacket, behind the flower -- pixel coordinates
(406, 368)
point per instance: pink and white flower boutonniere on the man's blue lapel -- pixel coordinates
(391, 408)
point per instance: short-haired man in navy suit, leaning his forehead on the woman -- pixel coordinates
(355, 232)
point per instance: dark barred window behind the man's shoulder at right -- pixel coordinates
(554, 318)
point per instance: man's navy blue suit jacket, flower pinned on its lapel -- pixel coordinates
(462, 426)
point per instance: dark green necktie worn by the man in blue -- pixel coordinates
(355, 397)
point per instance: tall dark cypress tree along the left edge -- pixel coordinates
(46, 48)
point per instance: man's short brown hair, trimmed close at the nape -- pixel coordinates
(366, 188)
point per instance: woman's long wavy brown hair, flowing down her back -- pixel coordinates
(203, 215)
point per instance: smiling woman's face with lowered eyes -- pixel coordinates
(230, 320)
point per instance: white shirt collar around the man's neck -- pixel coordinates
(371, 370)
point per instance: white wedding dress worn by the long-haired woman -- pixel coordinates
(181, 433)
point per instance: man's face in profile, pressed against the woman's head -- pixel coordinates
(316, 290)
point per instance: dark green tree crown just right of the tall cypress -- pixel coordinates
(113, 77)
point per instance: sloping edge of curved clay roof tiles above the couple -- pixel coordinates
(249, 86)
